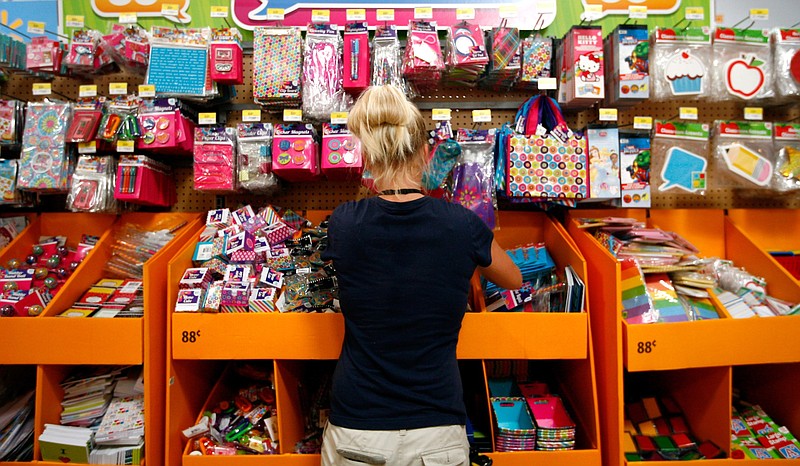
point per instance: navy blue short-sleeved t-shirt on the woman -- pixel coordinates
(404, 270)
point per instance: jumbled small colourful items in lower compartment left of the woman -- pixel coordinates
(244, 422)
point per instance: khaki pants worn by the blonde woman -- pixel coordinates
(429, 446)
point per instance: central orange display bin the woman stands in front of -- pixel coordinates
(200, 343)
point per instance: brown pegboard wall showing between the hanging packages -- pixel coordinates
(325, 195)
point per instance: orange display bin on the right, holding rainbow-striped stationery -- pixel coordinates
(712, 344)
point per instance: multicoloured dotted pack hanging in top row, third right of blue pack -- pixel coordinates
(277, 66)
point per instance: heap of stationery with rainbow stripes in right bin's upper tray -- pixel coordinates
(664, 278)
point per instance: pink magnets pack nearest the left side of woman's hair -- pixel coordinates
(341, 153)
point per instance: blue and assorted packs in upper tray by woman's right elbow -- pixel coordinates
(544, 287)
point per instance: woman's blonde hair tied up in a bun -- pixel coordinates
(392, 134)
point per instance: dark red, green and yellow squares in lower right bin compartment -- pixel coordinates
(657, 430)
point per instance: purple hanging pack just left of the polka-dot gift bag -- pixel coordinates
(473, 174)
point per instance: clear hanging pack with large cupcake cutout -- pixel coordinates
(682, 64)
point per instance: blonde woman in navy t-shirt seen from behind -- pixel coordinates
(404, 262)
